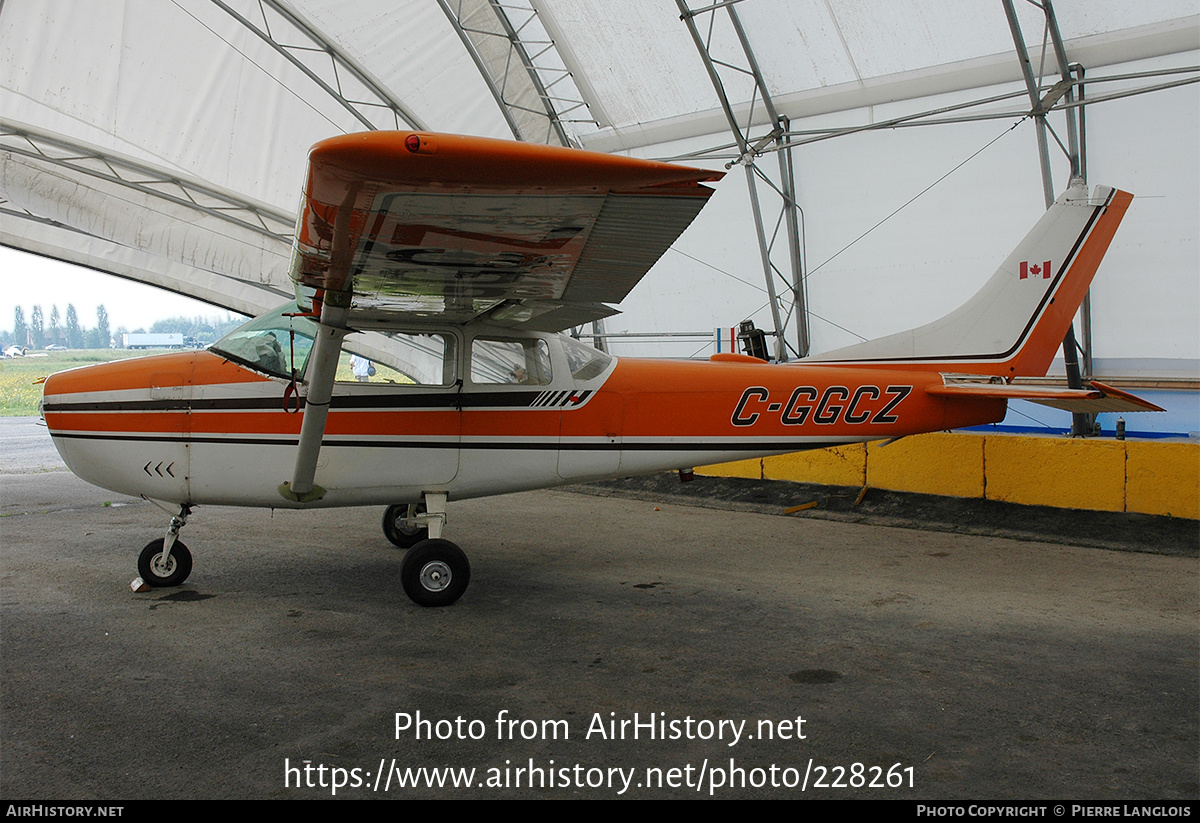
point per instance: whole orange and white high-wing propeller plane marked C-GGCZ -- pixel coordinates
(452, 265)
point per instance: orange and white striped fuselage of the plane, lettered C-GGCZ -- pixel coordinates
(200, 429)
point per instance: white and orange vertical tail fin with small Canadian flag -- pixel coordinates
(1016, 323)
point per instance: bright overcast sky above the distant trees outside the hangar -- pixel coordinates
(32, 281)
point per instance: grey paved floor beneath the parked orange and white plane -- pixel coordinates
(993, 669)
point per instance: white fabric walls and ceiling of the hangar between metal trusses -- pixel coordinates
(188, 89)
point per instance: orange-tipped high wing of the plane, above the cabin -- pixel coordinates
(443, 227)
